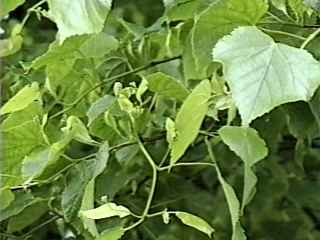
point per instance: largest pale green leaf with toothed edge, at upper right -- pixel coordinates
(263, 74)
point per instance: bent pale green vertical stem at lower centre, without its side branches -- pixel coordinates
(154, 177)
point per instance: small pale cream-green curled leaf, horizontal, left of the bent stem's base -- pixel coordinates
(106, 211)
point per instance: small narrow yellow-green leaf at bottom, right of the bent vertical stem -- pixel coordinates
(195, 222)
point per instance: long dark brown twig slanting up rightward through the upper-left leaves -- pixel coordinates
(136, 70)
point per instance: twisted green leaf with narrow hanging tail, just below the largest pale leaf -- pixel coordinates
(248, 145)
